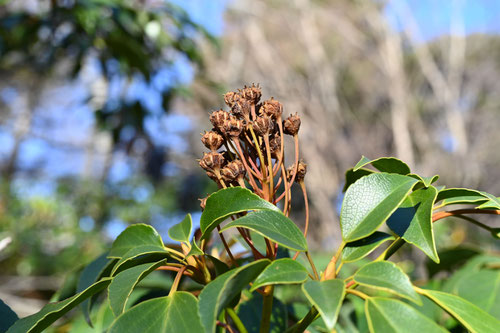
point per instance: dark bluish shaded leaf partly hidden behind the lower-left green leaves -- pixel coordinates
(90, 274)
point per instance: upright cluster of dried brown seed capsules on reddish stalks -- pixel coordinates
(247, 146)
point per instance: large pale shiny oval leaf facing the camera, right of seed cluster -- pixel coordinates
(370, 201)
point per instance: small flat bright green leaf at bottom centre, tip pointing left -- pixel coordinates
(281, 271)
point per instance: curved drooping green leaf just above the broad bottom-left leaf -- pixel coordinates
(124, 283)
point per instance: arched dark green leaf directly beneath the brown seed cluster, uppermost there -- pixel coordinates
(227, 202)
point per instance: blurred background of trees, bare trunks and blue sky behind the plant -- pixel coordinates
(101, 103)
